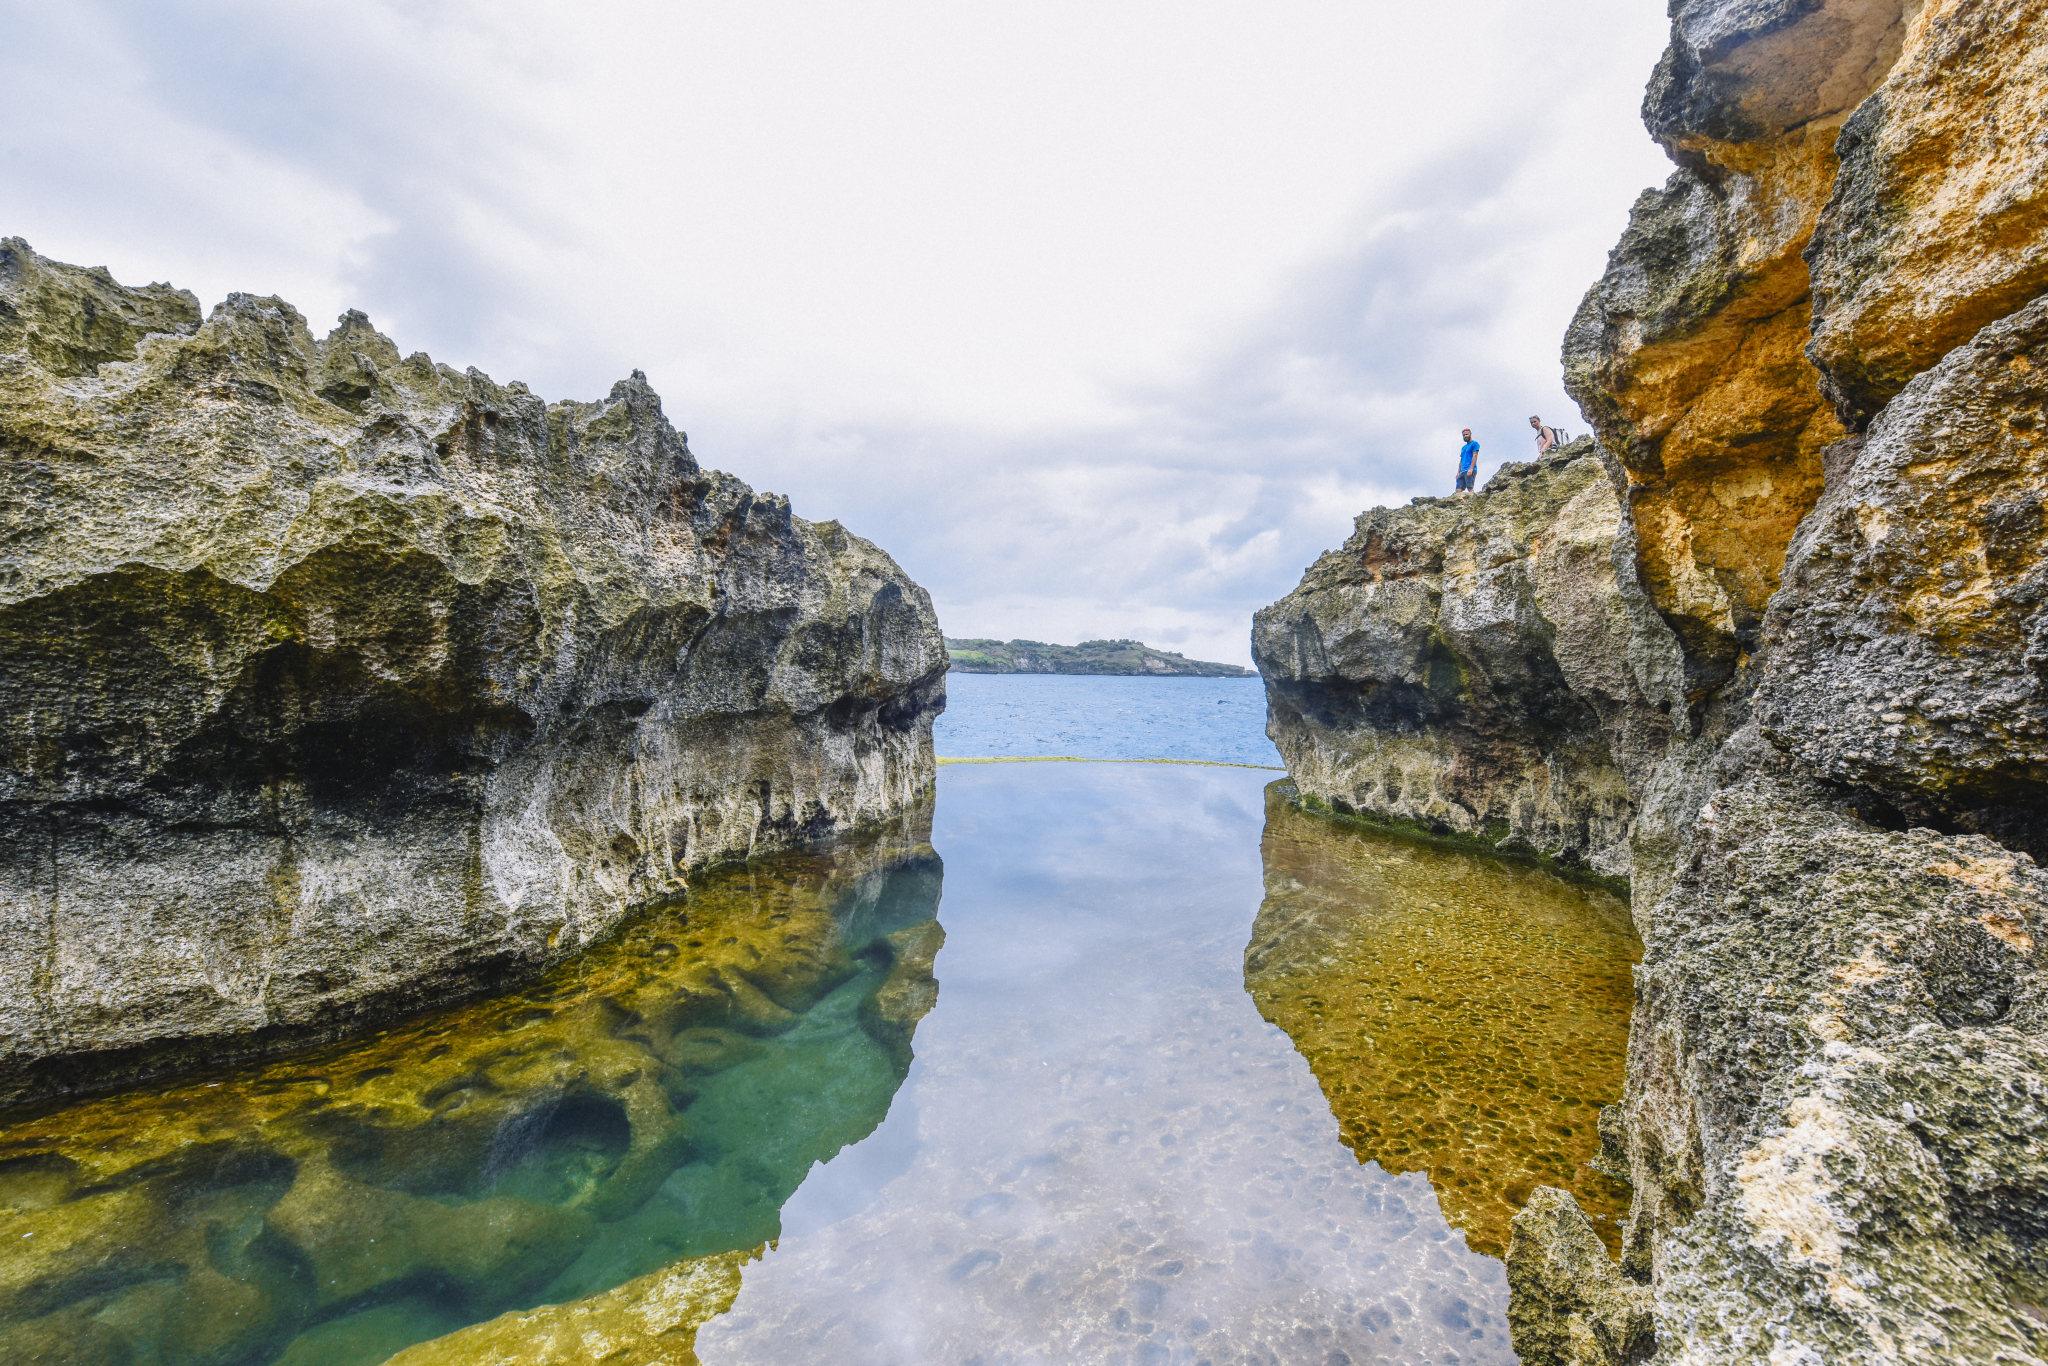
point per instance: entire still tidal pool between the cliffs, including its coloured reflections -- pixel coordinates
(675, 1148)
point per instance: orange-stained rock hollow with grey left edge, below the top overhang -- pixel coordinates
(1689, 359)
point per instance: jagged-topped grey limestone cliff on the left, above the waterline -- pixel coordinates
(339, 681)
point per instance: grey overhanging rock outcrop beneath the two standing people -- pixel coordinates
(1478, 667)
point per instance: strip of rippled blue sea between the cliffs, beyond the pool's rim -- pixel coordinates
(1099, 718)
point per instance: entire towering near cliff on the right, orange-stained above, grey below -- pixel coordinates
(1820, 359)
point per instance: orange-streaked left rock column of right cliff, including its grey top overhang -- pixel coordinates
(1689, 355)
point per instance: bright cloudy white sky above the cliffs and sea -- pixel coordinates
(1103, 318)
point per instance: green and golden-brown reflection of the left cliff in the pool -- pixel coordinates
(656, 1099)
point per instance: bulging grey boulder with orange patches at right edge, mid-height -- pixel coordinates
(1908, 656)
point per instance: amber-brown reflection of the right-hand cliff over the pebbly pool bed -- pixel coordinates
(1467, 1017)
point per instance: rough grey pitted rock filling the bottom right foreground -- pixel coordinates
(1838, 1091)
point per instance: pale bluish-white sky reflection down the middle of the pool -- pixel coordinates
(1103, 1154)
